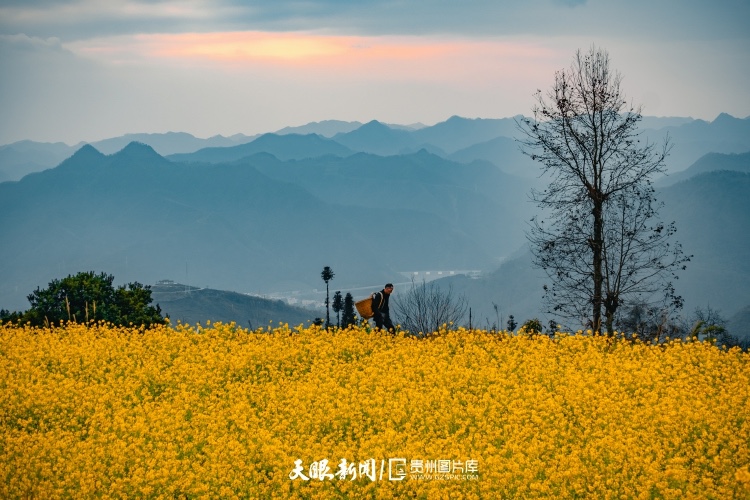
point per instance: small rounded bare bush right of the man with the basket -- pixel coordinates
(425, 308)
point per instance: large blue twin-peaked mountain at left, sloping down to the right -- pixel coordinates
(143, 218)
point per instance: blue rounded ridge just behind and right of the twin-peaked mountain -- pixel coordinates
(284, 147)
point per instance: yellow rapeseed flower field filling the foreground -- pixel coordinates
(222, 412)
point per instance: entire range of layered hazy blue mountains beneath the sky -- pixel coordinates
(375, 202)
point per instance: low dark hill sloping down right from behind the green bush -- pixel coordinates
(193, 305)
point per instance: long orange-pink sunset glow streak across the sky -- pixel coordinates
(299, 48)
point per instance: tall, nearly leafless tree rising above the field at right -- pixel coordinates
(600, 241)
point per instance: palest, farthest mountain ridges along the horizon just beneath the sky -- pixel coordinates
(459, 139)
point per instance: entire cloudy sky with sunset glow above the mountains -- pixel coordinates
(86, 70)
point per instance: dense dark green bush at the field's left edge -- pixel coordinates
(86, 297)
